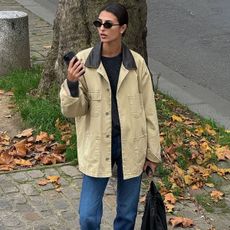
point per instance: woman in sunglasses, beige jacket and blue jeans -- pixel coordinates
(109, 92)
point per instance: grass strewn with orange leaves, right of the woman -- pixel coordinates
(191, 152)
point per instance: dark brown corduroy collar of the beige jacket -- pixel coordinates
(94, 58)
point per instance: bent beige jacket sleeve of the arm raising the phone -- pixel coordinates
(73, 106)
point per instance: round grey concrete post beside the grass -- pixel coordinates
(14, 41)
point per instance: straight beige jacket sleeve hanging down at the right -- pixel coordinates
(153, 137)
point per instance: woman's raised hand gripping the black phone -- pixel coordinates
(75, 70)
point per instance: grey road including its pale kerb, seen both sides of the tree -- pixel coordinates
(188, 43)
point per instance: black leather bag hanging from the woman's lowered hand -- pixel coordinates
(154, 217)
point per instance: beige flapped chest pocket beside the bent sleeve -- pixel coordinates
(95, 103)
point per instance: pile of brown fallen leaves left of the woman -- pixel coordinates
(26, 150)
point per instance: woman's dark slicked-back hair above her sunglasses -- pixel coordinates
(119, 11)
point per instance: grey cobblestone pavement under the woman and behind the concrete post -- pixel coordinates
(26, 205)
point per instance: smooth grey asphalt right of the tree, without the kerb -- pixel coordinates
(193, 38)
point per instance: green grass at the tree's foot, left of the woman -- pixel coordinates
(37, 112)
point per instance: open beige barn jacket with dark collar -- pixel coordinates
(92, 113)
